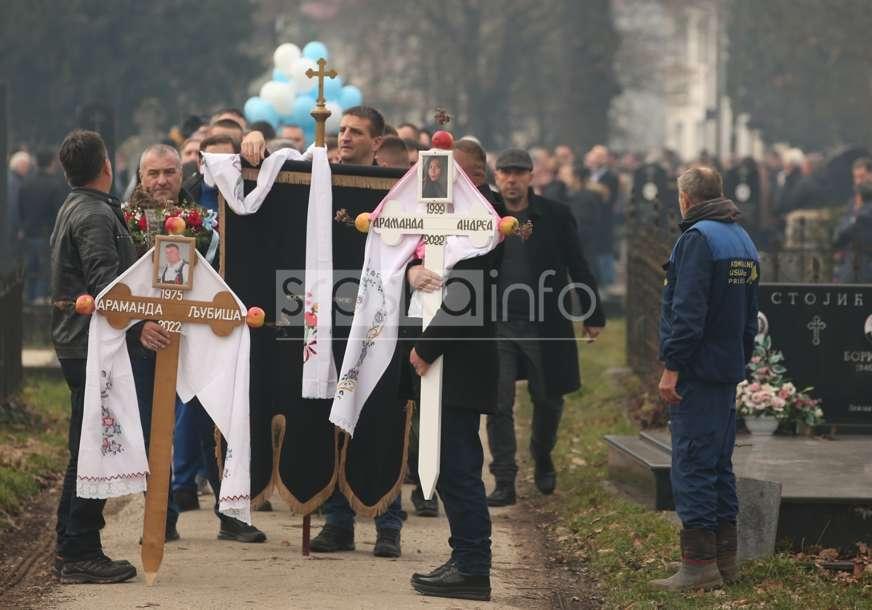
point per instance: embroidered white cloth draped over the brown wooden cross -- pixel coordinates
(112, 460)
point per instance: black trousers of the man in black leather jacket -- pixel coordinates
(79, 519)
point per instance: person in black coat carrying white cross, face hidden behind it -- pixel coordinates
(469, 388)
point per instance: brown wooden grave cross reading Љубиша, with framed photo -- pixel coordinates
(119, 306)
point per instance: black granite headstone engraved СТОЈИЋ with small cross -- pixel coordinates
(825, 332)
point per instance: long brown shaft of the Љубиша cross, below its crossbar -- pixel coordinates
(160, 453)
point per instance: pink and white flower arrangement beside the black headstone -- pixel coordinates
(768, 396)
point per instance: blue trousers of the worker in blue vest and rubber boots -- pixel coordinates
(703, 429)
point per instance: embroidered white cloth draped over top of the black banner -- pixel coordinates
(225, 171)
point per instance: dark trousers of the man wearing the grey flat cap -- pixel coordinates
(518, 346)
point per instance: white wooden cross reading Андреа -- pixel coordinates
(435, 225)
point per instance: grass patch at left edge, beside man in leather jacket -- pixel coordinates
(33, 439)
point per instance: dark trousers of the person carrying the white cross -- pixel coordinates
(462, 491)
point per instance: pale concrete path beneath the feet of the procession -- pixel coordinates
(200, 571)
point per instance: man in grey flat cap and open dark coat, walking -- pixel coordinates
(535, 336)
